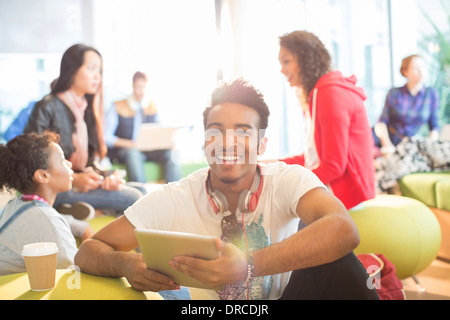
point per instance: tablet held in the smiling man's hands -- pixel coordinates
(159, 247)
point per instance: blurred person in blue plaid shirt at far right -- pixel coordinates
(408, 108)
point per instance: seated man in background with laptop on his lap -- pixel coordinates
(122, 125)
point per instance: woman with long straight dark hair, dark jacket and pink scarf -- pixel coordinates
(72, 111)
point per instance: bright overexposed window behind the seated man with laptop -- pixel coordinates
(174, 42)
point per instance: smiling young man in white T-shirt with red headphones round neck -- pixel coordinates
(253, 209)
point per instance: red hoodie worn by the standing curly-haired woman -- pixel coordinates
(343, 139)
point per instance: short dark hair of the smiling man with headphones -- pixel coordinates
(242, 92)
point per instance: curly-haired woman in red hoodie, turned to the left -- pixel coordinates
(338, 135)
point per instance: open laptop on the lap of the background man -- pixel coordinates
(154, 136)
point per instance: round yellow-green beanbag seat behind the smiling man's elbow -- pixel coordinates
(403, 229)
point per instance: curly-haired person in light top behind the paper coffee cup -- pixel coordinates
(35, 166)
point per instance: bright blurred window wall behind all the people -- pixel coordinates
(186, 46)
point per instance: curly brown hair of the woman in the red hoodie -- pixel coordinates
(313, 58)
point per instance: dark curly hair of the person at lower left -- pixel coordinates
(21, 157)
